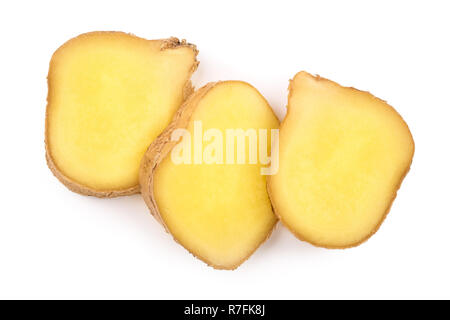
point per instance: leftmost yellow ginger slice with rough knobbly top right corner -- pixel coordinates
(110, 94)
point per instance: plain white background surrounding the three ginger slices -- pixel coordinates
(58, 244)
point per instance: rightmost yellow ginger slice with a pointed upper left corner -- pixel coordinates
(343, 156)
